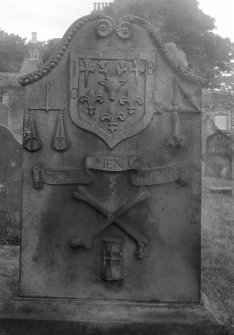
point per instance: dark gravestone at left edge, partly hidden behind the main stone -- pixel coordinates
(10, 186)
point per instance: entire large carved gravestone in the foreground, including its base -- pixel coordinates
(111, 188)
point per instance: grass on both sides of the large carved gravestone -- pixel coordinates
(217, 253)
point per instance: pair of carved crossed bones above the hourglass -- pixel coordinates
(114, 217)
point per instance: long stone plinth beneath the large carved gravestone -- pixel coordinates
(55, 317)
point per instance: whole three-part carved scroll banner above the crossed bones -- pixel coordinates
(154, 176)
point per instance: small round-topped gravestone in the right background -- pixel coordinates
(218, 156)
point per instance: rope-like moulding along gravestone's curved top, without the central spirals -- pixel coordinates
(68, 36)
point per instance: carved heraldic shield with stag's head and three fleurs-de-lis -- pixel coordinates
(111, 95)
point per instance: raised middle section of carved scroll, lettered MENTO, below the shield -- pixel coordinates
(114, 163)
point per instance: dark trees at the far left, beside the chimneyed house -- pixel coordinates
(12, 50)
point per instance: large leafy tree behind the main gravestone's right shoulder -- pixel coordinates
(182, 22)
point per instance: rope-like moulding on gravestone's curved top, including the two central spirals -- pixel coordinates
(124, 28)
